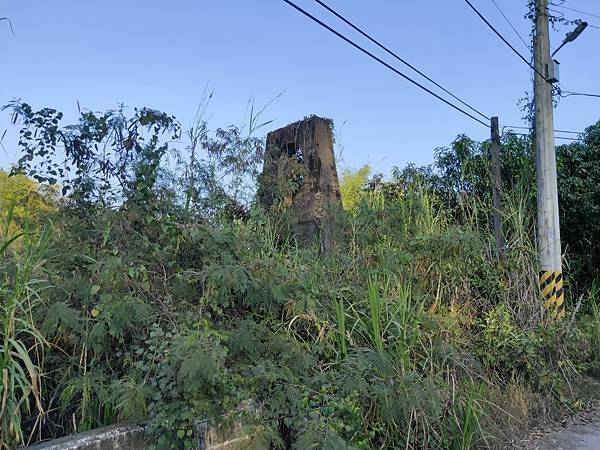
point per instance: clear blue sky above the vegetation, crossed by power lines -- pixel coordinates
(162, 54)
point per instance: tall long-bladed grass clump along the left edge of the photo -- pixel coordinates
(23, 345)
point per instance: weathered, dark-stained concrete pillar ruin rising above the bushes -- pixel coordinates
(314, 193)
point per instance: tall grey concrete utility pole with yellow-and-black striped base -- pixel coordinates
(551, 280)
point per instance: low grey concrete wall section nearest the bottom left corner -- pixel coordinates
(128, 436)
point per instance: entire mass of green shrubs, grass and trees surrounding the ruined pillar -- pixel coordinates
(155, 287)
